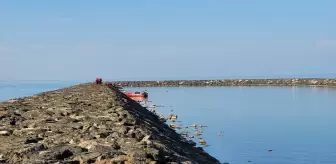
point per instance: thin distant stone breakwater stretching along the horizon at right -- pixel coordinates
(231, 82)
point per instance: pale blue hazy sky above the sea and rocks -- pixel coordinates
(153, 40)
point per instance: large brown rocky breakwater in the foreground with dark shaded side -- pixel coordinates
(89, 123)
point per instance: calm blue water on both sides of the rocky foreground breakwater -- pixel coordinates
(296, 123)
